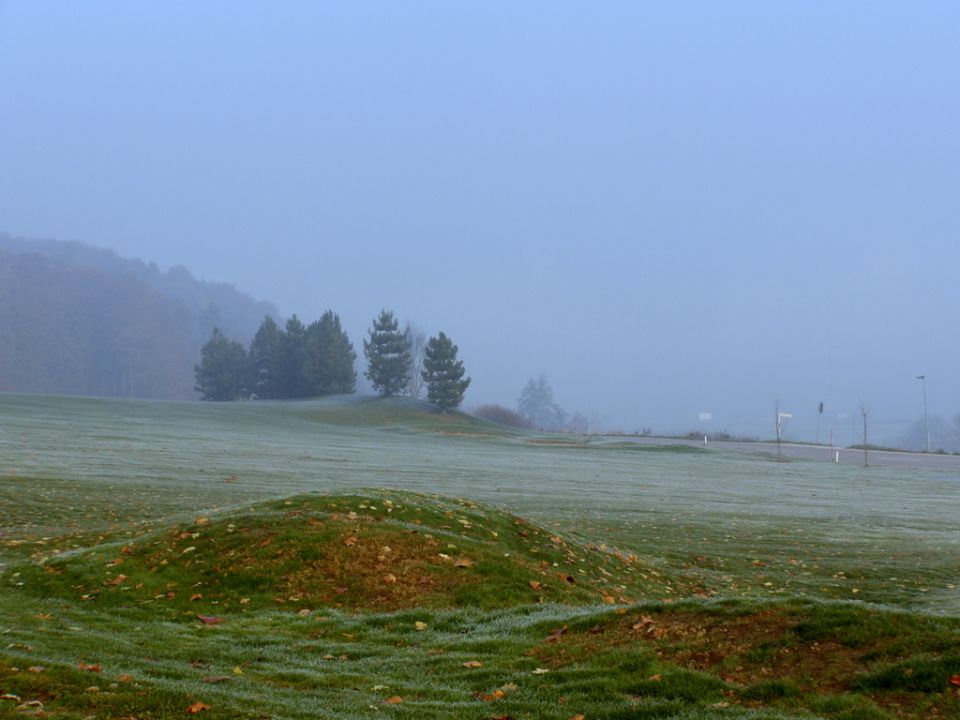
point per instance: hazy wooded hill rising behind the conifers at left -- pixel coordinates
(78, 320)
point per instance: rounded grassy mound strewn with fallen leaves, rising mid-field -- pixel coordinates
(382, 551)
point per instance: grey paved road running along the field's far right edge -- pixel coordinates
(884, 458)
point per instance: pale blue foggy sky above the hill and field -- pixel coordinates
(667, 208)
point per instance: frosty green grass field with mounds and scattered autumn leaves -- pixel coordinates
(364, 558)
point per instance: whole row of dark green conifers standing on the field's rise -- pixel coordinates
(300, 361)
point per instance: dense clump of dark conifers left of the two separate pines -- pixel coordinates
(297, 361)
